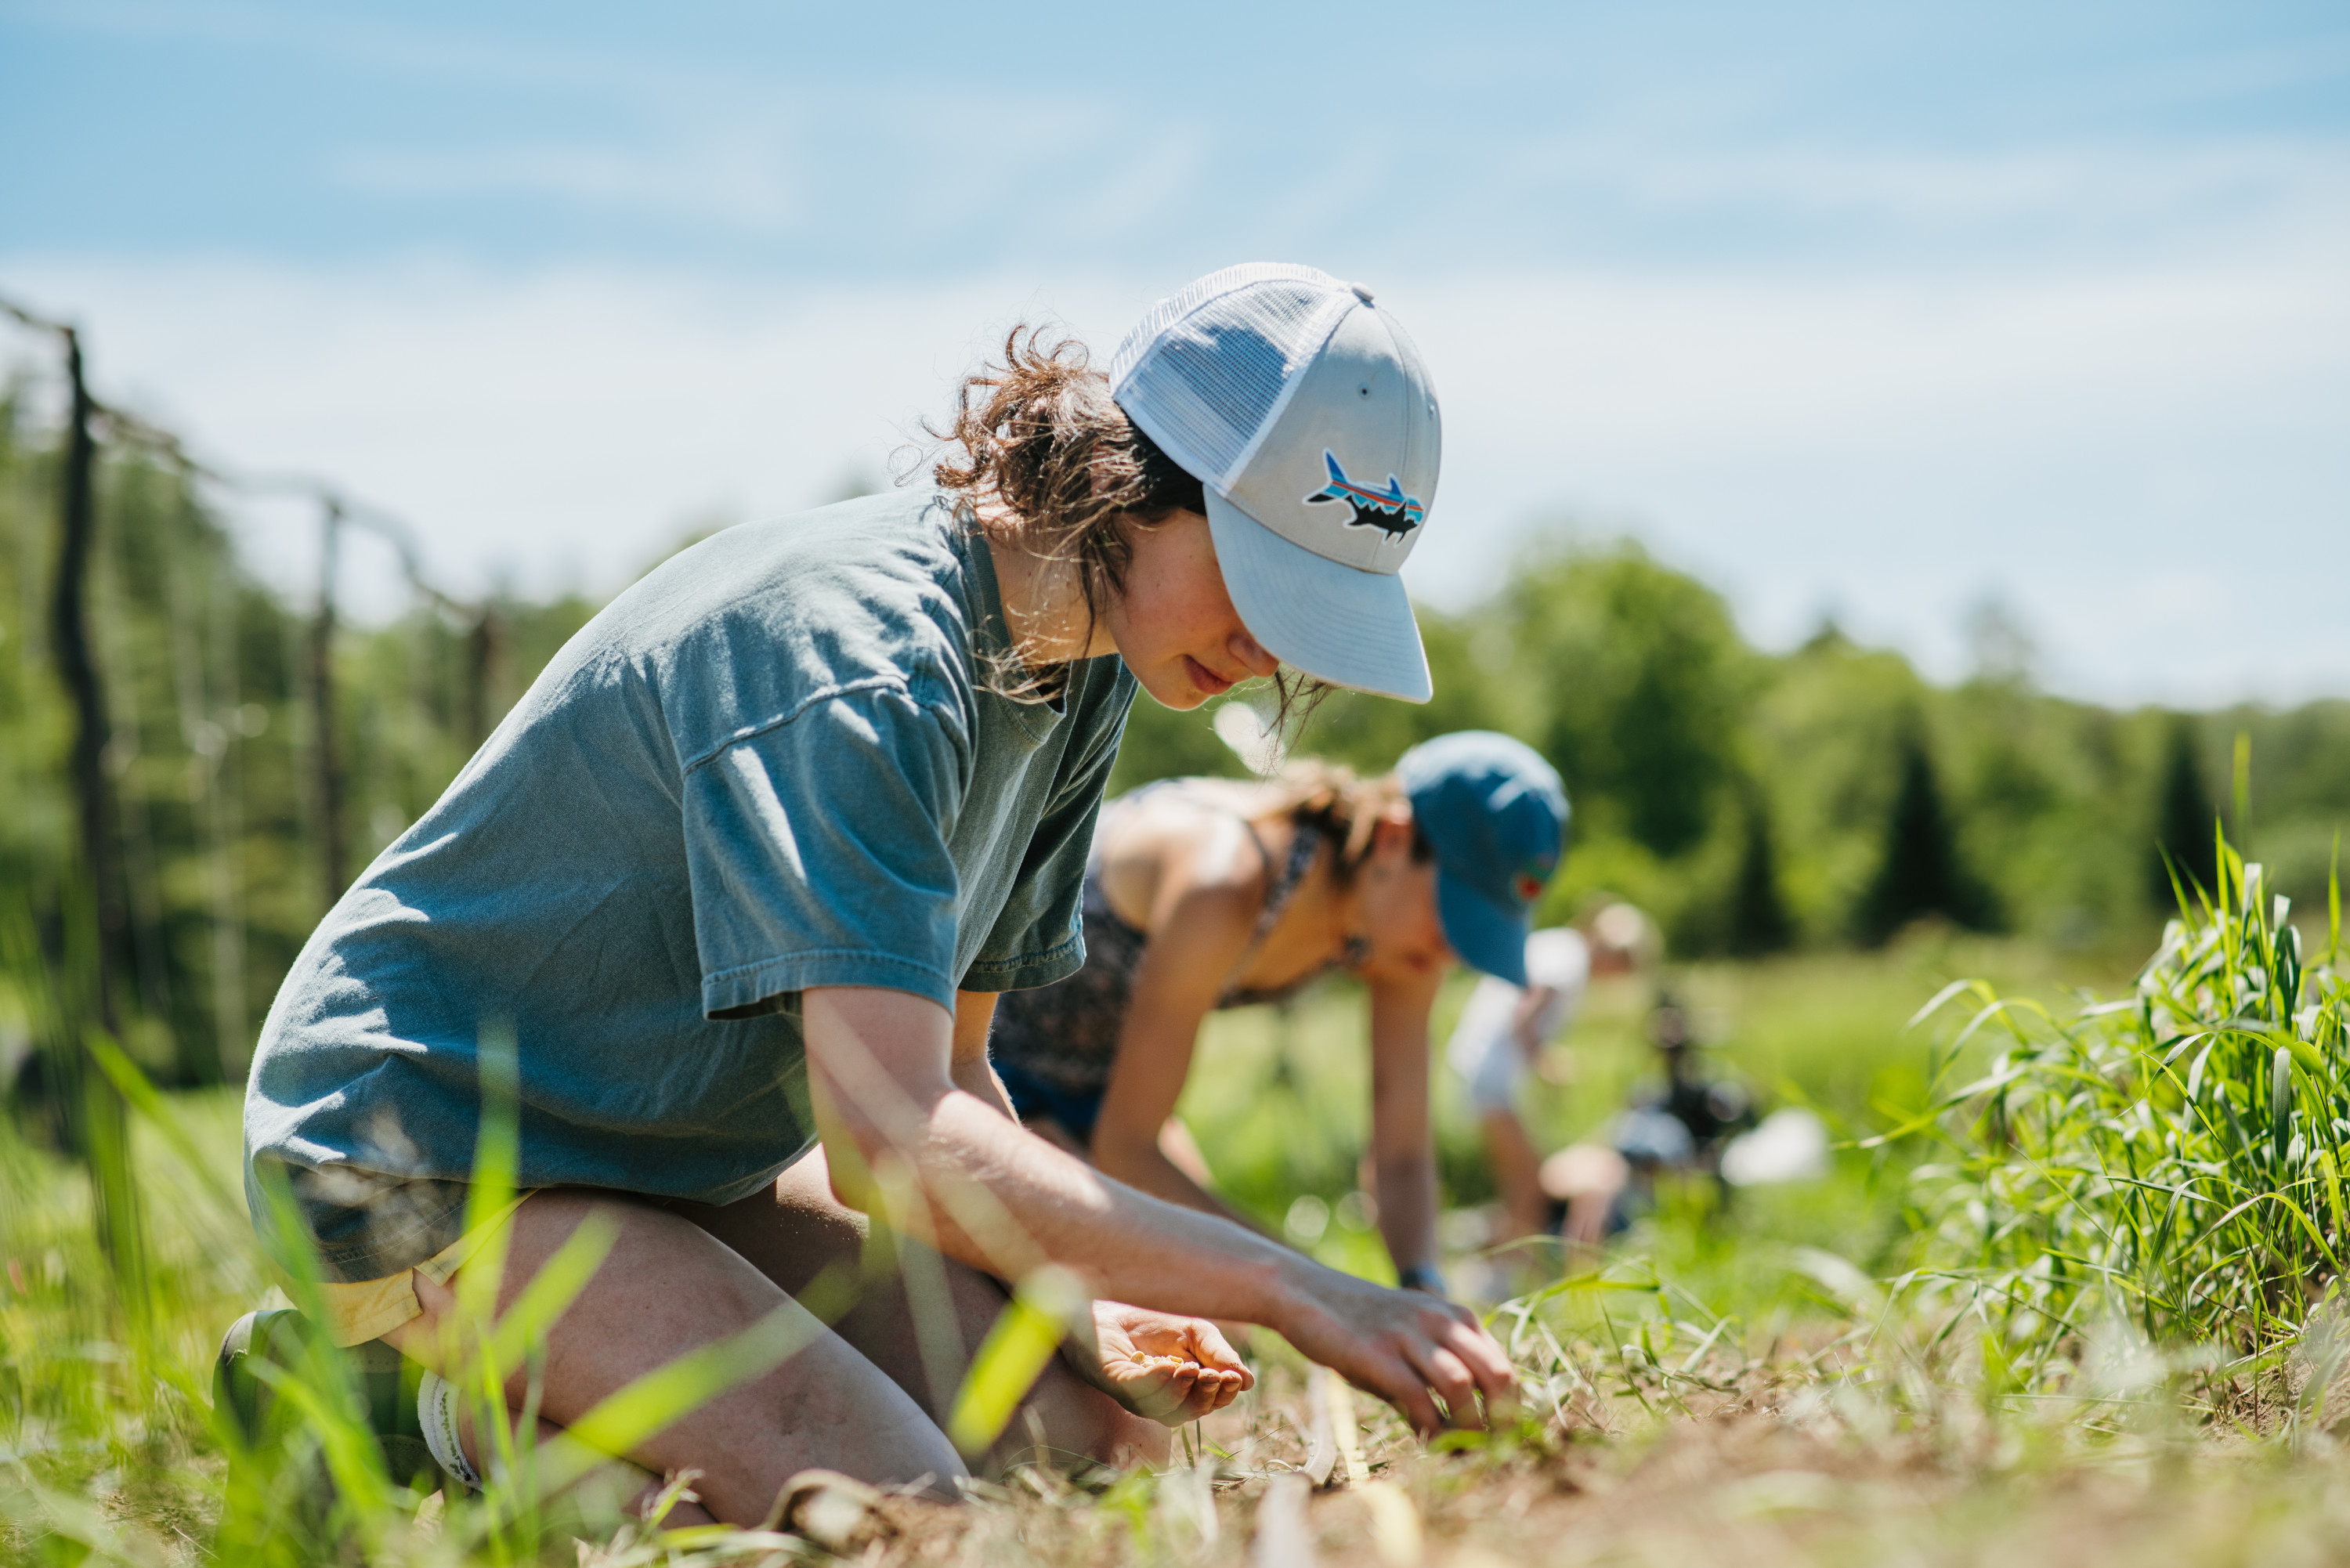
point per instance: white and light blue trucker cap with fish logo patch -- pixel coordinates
(1308, 417)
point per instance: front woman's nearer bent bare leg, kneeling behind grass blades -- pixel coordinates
(664, 1289)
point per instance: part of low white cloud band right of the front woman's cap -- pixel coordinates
(1900, 445)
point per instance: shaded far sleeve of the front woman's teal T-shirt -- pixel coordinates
(1040, 934)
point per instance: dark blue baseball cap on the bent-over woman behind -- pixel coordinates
(1498, 822)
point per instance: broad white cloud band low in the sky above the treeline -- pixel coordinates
(2147, 460)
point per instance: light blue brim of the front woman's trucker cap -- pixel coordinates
(1338, 624)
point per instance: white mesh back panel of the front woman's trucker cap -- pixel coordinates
(1207, 370)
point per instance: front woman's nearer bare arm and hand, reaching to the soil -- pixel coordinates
(988, 1193)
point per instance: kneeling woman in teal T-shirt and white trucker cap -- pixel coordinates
(751, 862)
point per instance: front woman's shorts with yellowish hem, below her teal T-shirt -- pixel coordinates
(375, 1233)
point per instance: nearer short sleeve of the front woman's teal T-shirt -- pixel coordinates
(819, 852)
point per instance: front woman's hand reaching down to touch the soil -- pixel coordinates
(1418, 1353)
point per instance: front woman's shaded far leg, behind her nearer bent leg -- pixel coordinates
(795, 1231)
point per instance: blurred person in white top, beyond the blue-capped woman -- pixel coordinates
(1505, 1028)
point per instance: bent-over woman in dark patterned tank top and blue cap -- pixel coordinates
(1209, 894)
